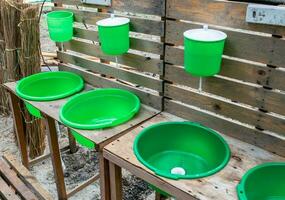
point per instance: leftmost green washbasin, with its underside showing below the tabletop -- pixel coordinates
(48, 86)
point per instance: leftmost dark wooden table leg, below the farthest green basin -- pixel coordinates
(19, 127)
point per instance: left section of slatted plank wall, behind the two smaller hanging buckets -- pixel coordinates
(140, 70)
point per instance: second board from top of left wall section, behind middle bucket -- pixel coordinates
(146, 26)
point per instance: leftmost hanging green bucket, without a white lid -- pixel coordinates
(60, 25)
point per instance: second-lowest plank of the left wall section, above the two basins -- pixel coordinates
(105, 69)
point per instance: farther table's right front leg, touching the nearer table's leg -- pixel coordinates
(104, 177)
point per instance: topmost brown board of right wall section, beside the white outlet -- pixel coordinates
(222, 13)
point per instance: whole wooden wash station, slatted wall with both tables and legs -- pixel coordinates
(245, 102)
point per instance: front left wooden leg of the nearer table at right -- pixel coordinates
(115, 181)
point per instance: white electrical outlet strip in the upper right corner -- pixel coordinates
(264, 14)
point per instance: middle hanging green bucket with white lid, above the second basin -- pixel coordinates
(114, 35)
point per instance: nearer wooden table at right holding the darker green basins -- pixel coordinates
(221, 186)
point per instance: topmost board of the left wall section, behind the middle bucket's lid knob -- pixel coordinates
(150, 7)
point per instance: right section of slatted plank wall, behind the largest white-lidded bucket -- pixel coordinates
(247, 99)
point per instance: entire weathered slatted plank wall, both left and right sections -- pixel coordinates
(246, 100)
